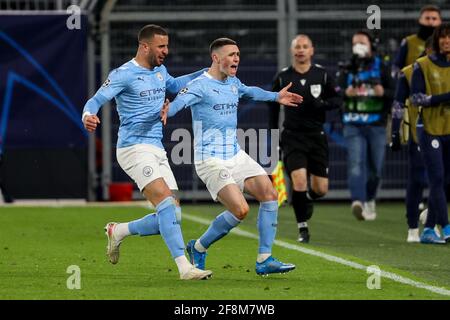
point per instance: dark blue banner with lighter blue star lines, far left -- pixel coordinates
(43, 87)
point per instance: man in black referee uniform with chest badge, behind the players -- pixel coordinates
(303, 141)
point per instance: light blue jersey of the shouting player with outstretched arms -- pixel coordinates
(214, 106)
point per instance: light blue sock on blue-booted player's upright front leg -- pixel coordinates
(267, 225)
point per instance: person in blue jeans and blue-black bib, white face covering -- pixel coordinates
(368, 89)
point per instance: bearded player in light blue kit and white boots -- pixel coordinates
(139, 87)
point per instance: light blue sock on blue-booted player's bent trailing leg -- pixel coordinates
(219, 228)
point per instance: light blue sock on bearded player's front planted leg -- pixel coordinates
(169, 227)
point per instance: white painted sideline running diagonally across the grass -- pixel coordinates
(329, 257)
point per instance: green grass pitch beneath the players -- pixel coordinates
(38, 244)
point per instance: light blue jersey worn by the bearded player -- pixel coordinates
(139, 94)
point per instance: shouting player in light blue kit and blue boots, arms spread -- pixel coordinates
(220, 163)
